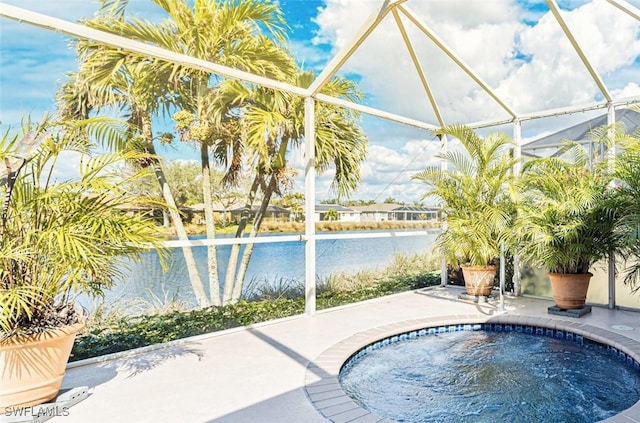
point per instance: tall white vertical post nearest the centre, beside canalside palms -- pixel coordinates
(309, 207)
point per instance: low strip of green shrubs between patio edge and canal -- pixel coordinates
(126, 333)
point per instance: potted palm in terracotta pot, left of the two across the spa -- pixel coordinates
(474, 190)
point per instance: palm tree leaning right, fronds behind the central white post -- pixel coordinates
(275, 126)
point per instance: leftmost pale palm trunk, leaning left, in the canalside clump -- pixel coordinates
(192, 269)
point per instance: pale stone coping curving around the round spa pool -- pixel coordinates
(327, 396)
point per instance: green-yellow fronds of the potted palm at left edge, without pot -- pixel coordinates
(63, 238)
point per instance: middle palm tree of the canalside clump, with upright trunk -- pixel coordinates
(243, 34)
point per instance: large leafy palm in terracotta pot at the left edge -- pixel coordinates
(57, 239)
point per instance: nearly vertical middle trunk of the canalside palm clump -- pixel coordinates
(212, 257)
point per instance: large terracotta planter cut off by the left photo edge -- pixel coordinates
(33, 366)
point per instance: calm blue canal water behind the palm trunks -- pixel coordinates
(271, 263)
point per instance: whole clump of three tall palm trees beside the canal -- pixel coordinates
(224, 118)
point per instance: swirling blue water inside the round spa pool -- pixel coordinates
(484, 376)
